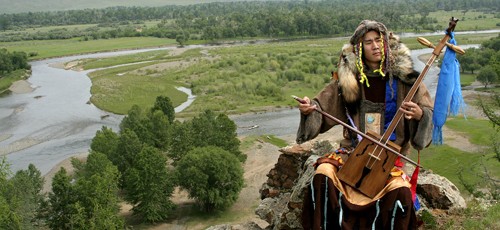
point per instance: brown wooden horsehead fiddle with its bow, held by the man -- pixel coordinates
(369, 165)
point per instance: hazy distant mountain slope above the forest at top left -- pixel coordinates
(19, 6)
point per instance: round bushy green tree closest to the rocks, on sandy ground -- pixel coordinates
(212, 176)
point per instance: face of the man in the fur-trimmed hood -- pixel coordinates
(371, 49)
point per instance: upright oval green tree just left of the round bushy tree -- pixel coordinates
(149, 186)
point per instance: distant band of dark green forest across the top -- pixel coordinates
(213, 21)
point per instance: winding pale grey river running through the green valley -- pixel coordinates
(55, 120)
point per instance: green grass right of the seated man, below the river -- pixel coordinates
(470, 172)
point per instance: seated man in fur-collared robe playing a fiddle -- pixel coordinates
(375, 73)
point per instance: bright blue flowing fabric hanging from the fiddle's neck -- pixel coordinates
(448, 99)
